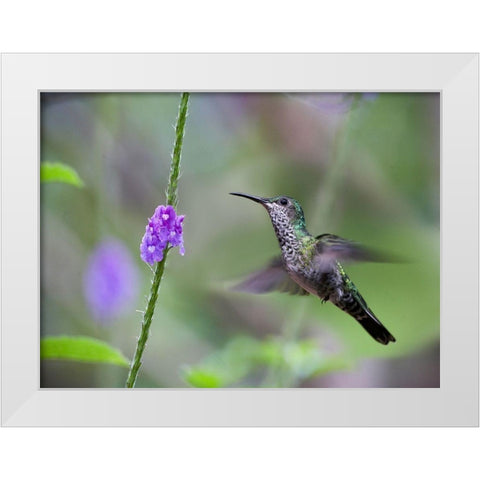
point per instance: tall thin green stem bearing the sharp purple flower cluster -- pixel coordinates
(172, 194)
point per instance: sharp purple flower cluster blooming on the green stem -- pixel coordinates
(164, 227)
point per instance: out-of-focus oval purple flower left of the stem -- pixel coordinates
(110, 281)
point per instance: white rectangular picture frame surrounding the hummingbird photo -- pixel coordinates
(455, 76)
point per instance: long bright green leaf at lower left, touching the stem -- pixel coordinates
(81, 349)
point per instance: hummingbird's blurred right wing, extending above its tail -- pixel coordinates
(330, 248)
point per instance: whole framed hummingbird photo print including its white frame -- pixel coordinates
(319, 213)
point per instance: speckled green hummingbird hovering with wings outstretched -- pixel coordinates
(311, 265)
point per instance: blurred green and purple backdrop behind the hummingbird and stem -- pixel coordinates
(364, 166)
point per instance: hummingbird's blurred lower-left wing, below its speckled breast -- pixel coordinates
(273, 277)
